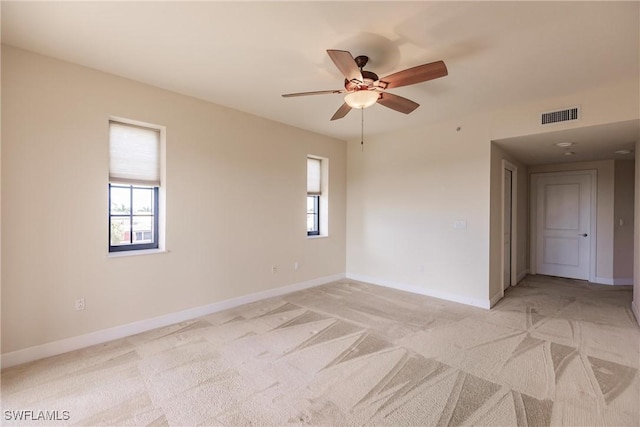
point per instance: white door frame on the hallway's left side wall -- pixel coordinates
(506, 165)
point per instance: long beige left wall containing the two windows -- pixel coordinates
(235, 194)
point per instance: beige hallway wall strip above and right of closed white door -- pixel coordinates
(604, 209)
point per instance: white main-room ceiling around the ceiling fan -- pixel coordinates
(244, 55)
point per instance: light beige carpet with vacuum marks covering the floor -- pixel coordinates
(553, 352)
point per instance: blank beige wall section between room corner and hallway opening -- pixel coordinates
(405, 192)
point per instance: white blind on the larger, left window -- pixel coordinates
(134, 154)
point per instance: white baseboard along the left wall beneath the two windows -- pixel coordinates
(81, 341)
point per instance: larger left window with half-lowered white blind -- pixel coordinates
(134, 181)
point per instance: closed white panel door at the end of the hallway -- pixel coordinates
(563, 225)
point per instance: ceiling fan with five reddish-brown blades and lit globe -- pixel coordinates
(364, 88)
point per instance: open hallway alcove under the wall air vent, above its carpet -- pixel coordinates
(609, 150)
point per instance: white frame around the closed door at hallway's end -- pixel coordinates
(533, 217)
